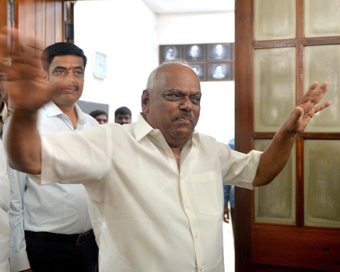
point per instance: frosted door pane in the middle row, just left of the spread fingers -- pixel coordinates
(274, 87)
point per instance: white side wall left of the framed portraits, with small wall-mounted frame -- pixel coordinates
(125, 30)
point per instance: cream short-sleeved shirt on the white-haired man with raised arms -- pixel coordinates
(147, 215)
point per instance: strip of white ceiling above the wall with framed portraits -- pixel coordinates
(190, 6)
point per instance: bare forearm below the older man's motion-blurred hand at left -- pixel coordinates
(23, 142)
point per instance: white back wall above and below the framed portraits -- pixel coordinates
(217, 107)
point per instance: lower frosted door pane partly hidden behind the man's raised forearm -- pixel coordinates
(275, 203)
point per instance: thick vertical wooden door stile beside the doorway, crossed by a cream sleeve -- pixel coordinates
(243, 128)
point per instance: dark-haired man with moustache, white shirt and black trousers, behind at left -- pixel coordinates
(51, 226)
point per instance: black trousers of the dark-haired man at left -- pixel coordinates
(56, 255)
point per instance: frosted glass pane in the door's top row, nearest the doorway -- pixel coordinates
(275, 19)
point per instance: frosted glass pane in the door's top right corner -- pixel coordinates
(322, 18)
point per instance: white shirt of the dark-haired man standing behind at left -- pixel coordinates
(59, 208)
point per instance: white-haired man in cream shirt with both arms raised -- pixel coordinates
(155, 186)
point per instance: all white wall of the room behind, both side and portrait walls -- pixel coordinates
(129, 33)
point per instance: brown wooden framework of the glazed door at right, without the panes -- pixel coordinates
(308, 248)
